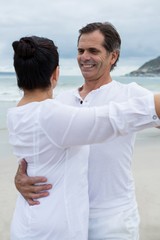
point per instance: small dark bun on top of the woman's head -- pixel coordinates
(25, 48)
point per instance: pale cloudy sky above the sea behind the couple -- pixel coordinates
(137, 21)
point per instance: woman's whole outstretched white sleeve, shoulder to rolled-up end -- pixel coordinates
(68, 126)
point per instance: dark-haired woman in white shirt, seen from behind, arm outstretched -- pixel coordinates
(49, 136)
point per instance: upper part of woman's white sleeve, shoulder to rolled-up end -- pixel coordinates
(69, 126)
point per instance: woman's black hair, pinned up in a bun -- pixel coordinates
(35, 59)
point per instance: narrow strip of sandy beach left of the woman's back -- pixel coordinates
(8, 168)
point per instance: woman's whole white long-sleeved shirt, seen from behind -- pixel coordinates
(48, 135)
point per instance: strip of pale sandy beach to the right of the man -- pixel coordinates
(146, 169)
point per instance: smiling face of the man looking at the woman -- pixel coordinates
(93, 59)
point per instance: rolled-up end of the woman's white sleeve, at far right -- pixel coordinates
(134, 115)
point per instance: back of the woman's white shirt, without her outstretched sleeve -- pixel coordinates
(64, 214)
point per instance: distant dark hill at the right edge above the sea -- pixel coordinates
(148, 69)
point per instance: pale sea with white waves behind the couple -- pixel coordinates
(10, 94)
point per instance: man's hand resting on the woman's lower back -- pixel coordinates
(26, 185)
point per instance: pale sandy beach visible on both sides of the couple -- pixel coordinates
(146, 170)
